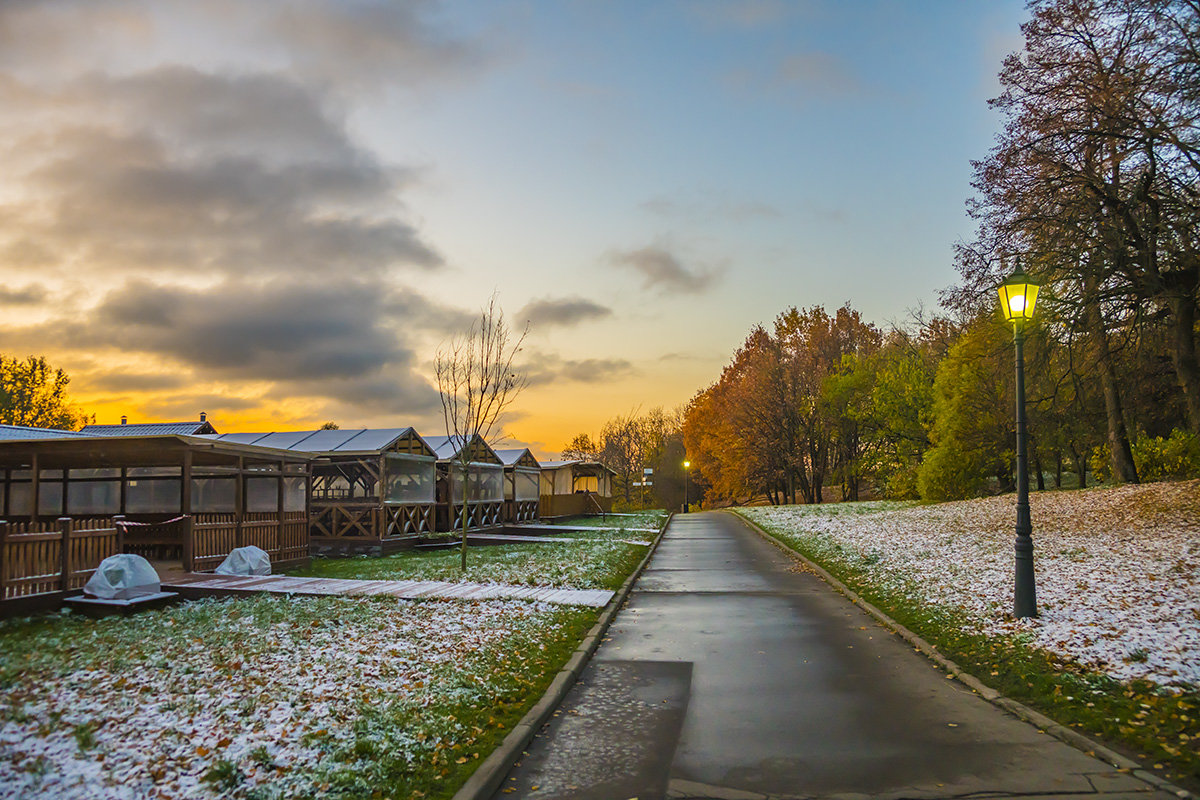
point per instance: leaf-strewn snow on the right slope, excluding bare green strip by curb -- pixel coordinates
(1118, 569)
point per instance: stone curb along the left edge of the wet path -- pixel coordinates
(488, 779)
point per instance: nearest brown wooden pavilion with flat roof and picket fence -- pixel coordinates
(69, 503)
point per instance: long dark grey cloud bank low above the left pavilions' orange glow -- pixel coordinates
(338, 342)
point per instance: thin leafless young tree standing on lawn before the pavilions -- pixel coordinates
(478, 382)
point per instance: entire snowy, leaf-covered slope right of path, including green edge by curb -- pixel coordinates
(1117, 652)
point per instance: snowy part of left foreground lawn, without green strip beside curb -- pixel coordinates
(147, 707)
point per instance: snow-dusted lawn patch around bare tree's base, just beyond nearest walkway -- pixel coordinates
(599, 561)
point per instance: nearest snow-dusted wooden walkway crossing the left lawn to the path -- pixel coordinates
(197, 585)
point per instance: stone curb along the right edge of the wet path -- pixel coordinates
(1019, 711)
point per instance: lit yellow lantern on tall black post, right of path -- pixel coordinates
(1018, 294)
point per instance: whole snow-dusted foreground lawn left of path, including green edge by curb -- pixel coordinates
(272, 697)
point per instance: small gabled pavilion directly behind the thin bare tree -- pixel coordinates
(484, 486)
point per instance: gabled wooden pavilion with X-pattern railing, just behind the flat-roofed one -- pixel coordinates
(374, 490)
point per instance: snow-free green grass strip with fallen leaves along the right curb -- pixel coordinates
(1161, 730)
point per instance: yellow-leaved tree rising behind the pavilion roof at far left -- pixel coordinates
(34, 394)
